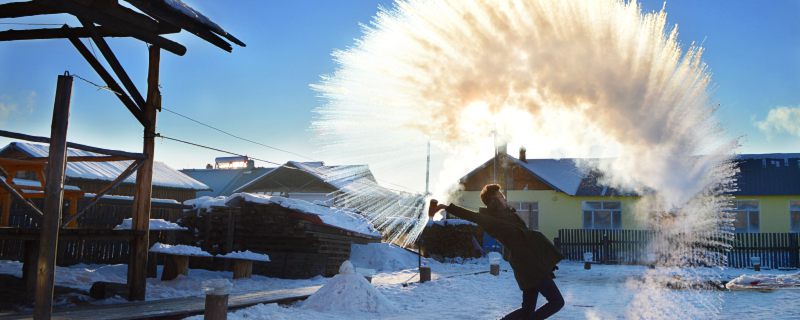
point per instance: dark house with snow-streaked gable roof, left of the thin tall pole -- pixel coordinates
(334, 185)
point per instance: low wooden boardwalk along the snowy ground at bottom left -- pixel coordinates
(176, 308)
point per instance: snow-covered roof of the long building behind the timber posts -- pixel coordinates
(91, 177)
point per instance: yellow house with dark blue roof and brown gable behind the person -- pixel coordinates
(553, 194)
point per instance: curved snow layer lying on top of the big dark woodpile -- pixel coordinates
(330, 216)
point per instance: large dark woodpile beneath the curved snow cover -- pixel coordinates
(299, 245)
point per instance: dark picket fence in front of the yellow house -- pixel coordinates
(775, 250)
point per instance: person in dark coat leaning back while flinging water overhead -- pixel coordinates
(532, 256)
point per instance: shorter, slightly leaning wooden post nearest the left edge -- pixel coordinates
(54, 200)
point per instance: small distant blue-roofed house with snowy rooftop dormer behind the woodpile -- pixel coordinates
(227, 175)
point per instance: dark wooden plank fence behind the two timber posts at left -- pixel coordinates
(107, 214)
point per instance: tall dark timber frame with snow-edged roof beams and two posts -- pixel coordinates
(100, 19)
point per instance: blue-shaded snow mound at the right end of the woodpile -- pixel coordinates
(382, 257)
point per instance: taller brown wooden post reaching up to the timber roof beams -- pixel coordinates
(137, 268)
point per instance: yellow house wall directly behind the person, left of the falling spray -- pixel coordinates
(558, 210)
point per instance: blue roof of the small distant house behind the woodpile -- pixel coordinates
(223, 182)
